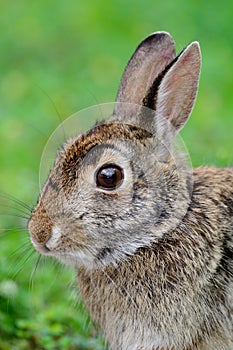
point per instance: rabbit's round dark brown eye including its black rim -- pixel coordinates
(109, 177)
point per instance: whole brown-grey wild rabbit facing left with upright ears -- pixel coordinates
(149, 238)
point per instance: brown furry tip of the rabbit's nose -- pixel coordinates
(40, 226)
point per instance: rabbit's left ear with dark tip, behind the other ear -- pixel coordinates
(148, 61)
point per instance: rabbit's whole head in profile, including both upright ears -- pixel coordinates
(120, 186)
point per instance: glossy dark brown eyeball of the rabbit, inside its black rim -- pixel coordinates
(109, 177)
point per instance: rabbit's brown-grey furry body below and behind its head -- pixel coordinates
(177, 294)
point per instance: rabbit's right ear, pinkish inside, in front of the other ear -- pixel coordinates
(177, 90)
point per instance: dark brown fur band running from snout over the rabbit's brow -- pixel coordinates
(67, 165)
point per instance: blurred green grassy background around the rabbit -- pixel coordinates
(58, 57)
